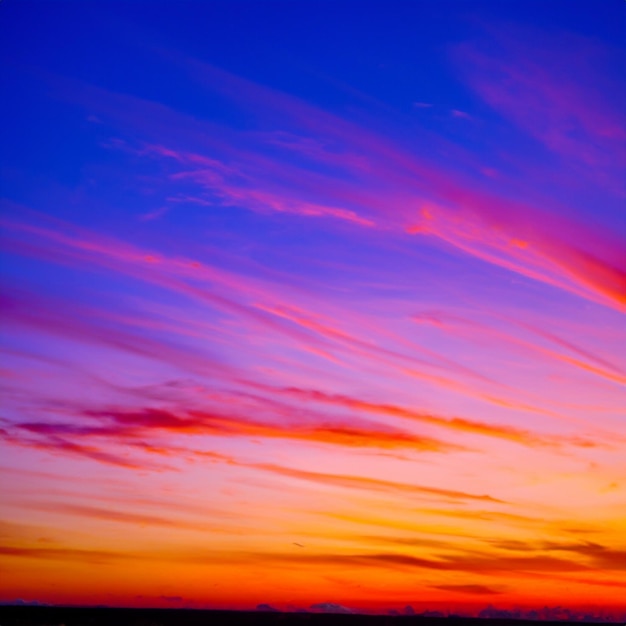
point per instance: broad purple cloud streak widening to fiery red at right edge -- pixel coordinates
(389, 182)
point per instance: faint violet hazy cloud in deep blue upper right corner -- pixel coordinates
(551, 89)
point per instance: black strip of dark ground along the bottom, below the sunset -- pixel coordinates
(72, 616)
